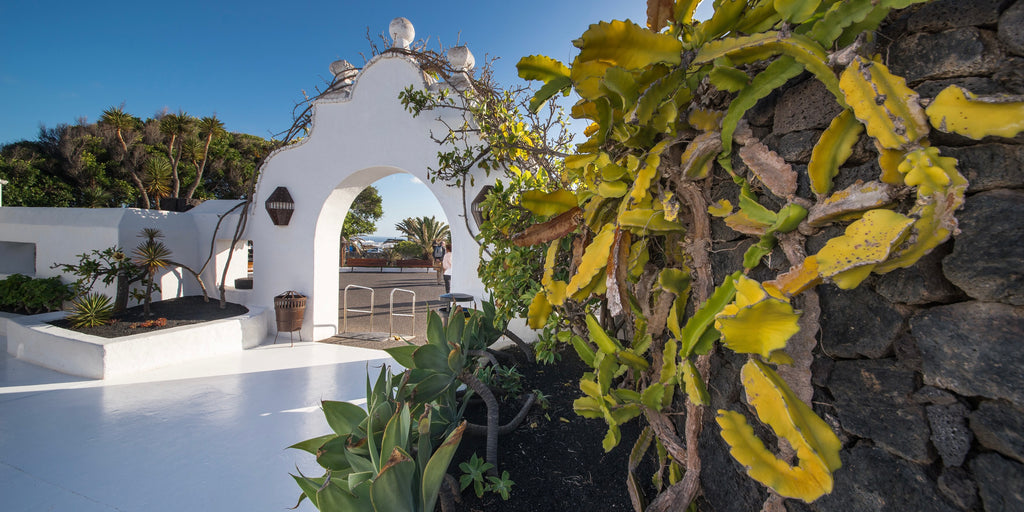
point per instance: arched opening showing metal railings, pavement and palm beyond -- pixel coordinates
(389, 277)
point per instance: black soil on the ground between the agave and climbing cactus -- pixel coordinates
(556, 457)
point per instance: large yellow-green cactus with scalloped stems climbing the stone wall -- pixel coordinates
(665, 108)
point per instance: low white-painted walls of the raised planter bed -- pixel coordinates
(33, 340)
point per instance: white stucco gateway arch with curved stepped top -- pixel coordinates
(358, 138)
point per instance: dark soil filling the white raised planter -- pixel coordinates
(181, 312)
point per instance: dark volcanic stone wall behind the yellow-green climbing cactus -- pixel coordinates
(921, 371)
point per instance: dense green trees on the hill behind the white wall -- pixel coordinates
(106, 164)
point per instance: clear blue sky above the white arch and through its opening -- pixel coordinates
(249, 62)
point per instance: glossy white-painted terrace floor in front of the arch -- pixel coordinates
(205, 436)
